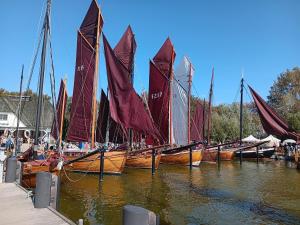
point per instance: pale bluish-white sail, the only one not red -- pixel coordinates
(180, 102)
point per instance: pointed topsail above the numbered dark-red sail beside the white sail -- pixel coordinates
(165, 57)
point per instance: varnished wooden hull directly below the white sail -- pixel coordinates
(182, 158)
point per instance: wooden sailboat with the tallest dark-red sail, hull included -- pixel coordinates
(84, 105)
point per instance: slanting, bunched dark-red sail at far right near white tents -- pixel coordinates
(271, 121)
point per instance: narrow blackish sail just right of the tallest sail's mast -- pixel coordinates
(102, 118)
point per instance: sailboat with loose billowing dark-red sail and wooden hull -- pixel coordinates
(126, 107)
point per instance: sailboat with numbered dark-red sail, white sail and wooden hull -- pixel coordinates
(169, 104)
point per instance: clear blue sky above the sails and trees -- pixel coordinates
(260, 37)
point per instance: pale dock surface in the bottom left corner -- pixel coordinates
(17, 208)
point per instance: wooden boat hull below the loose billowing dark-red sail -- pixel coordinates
(142, 160)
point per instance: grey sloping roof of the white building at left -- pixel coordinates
(9, 104)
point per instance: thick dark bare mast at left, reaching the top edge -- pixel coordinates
(41, 77)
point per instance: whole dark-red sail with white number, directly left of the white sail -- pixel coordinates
(159, 89)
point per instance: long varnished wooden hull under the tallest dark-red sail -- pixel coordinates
(114, 163)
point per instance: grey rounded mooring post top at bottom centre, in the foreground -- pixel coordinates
(134, 215)
